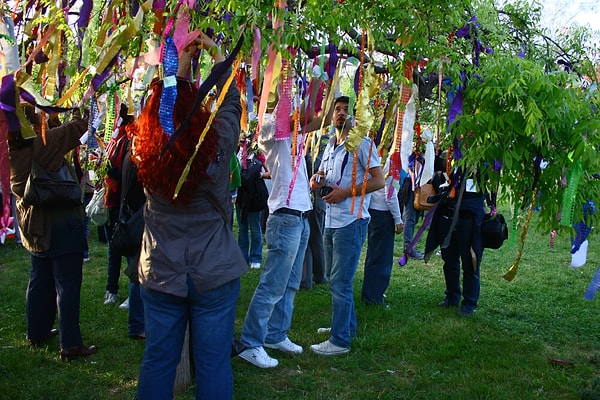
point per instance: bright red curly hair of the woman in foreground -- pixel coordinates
(162, 174)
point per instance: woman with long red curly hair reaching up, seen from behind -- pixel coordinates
(190, 263)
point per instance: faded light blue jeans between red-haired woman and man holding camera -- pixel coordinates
(269, 315)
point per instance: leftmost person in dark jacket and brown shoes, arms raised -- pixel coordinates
(53, 236)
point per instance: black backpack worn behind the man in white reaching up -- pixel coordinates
(253, 193)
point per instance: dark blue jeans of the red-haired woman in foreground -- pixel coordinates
(211, 316)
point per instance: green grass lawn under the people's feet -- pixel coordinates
(413, 350)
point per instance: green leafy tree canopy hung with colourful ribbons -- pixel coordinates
(524, 103)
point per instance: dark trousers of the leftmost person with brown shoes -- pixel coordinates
(55, 284)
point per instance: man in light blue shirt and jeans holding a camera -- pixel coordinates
(346, 221)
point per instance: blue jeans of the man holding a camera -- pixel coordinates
(342, 252)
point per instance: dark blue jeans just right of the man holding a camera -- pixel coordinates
(380, 256)
